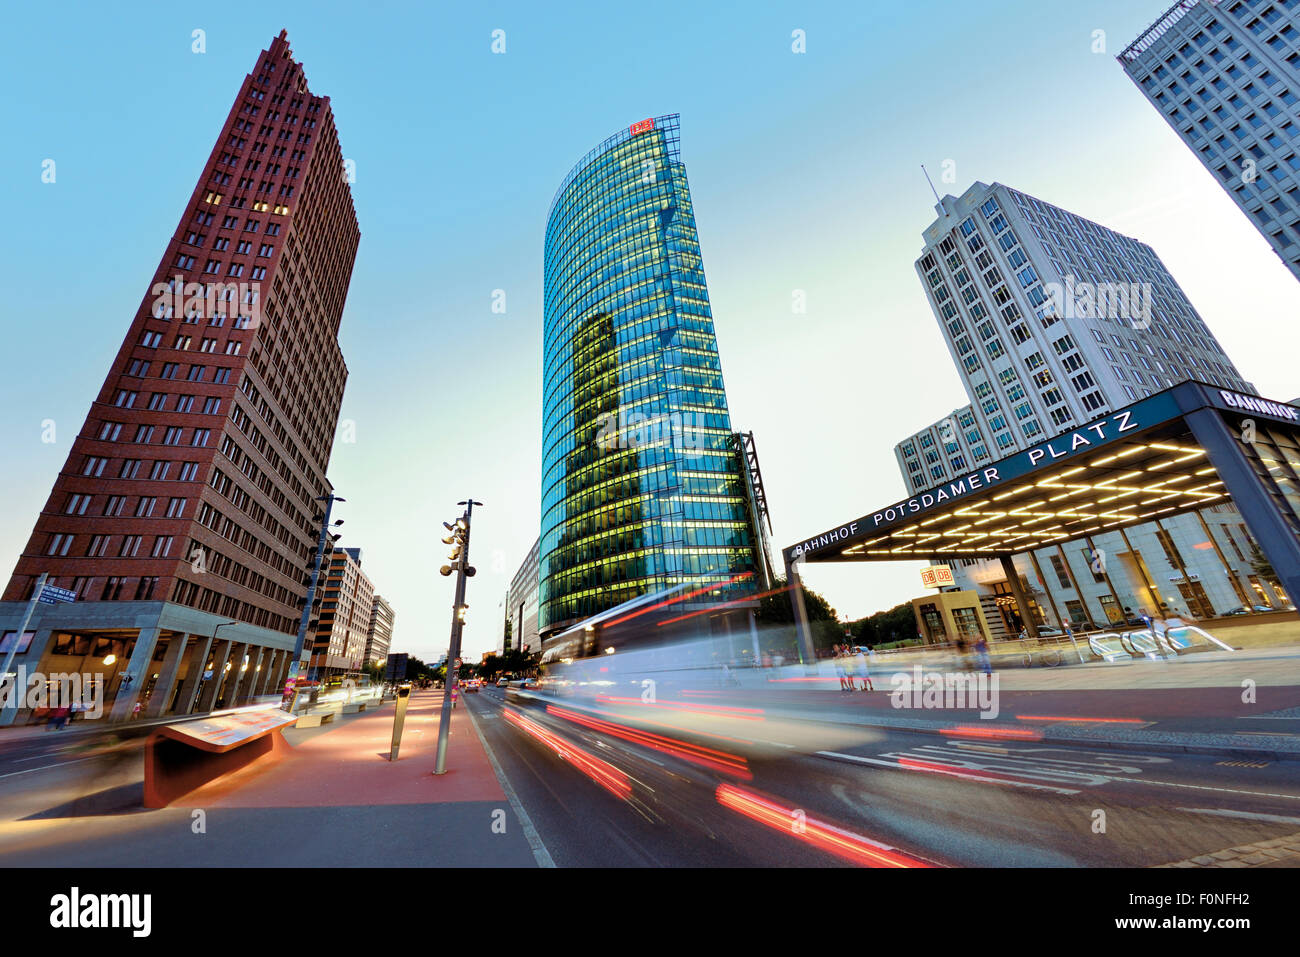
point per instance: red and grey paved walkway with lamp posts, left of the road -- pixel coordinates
(333, 802)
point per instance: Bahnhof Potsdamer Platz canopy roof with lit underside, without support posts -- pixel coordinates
(1133, 466)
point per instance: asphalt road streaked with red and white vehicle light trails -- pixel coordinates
(877, 796)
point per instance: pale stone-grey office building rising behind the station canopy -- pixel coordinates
(1052, 322)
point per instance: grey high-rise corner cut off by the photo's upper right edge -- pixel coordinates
(1225, 75)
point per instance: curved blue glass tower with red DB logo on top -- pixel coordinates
(642, 488)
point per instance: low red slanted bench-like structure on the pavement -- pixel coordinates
(179, 759)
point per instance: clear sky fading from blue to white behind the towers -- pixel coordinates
(805, 176)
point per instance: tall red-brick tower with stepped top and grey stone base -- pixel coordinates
(187, 513)
